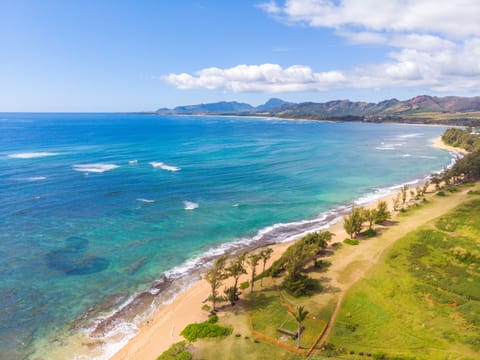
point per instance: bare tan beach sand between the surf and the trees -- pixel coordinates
(162, 329)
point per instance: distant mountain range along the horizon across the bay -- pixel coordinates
(420, 109)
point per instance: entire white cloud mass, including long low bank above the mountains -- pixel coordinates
(433, 44)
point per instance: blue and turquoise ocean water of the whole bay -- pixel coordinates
(96, 207)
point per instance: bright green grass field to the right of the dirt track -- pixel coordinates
(423, 300)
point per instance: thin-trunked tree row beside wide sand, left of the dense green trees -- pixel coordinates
(222, 270)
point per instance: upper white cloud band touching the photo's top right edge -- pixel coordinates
(455, 19)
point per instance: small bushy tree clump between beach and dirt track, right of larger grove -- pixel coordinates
(353, 222)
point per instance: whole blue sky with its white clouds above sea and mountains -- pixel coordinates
(141, 55)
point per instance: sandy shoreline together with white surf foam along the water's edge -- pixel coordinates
(166, 316)
